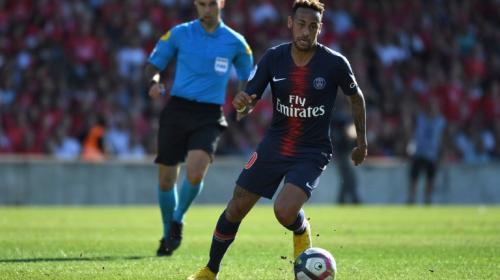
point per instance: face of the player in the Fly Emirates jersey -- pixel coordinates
(305, 26)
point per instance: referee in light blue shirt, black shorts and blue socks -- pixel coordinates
(192, 121)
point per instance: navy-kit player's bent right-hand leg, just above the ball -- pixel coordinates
(288, 211)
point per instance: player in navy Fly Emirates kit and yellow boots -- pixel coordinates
(304, 77)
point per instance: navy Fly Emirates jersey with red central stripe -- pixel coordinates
(303, 98)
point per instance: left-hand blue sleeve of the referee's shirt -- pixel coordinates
(165, 49)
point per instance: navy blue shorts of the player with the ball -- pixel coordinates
(264, 172)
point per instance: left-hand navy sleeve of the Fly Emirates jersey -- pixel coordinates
(260, 76)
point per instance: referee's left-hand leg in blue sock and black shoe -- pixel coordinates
(167, 199)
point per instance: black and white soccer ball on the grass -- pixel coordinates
(315, 264)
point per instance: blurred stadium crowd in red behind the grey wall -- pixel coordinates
(71, 72)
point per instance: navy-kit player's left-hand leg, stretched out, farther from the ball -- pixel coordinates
(226, 229)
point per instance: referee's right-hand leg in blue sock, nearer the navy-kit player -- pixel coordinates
(197, 163)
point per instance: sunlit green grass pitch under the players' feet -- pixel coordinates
(368, 242)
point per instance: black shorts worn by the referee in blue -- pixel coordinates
(188, 125)
